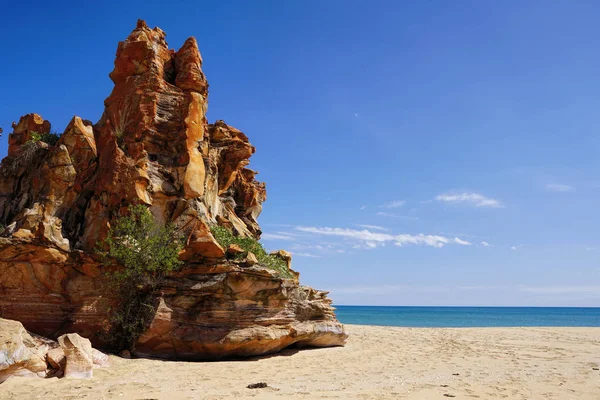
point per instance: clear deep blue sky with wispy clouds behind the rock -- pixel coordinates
(415, 153)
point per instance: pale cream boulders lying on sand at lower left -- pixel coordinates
(23, 354)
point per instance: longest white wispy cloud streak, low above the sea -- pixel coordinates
(374, 239)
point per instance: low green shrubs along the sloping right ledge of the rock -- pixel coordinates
(225, 238)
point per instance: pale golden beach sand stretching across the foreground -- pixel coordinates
(377, 363)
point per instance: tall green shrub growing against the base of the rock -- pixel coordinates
(147, 253)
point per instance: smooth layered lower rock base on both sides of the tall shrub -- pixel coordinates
(207, 311)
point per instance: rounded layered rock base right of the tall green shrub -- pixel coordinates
(220, 311)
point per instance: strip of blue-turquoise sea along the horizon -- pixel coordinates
(448, 317)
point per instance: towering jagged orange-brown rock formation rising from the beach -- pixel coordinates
(152, 146)
